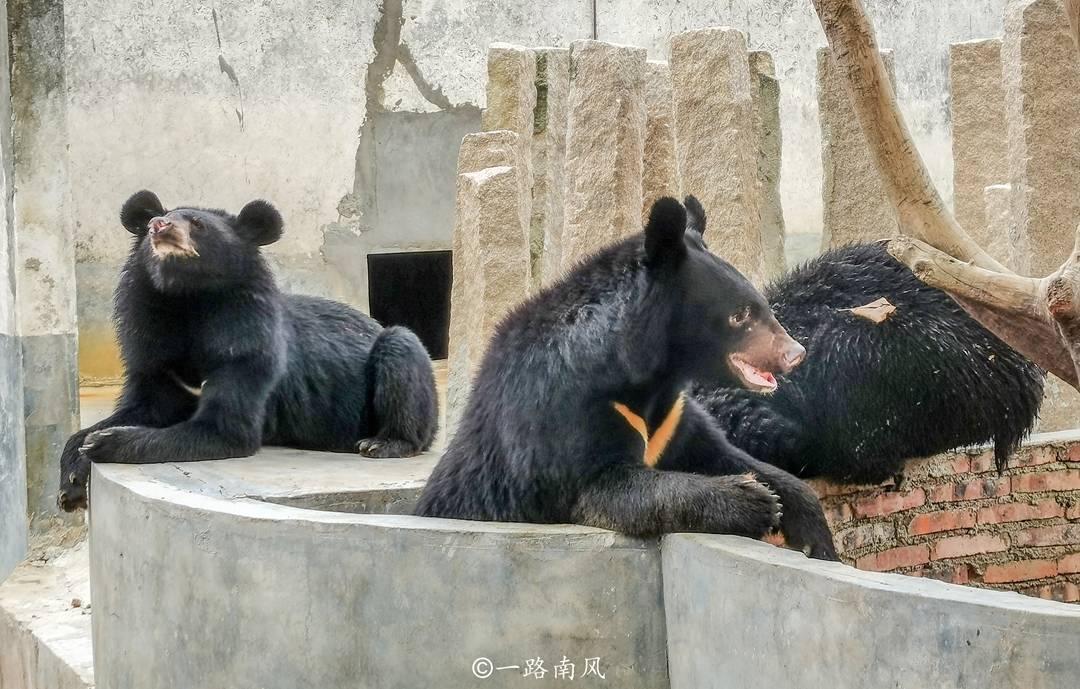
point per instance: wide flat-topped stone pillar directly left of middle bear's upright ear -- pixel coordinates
(605, 141)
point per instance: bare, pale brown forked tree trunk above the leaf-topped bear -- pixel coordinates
(1038, 318)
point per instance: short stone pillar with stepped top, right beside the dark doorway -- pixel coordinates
(491, 254)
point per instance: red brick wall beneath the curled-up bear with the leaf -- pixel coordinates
(953, 518)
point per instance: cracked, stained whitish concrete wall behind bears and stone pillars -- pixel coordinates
(348, 116)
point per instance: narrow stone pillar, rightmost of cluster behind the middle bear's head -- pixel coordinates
(765, 96)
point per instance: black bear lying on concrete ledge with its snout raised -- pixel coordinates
(219, 361)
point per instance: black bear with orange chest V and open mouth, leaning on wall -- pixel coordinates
(579, 410)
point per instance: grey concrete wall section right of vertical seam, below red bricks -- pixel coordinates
(741, 614)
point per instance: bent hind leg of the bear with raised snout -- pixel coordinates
(404, 410)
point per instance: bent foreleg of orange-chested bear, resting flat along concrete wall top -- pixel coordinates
(645, 503)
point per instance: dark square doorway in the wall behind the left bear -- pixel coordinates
(413, 289)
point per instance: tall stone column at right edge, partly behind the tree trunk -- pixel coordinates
(1043, 110)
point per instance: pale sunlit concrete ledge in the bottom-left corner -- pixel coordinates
(46, 640)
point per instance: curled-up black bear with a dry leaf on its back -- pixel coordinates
(926, 380)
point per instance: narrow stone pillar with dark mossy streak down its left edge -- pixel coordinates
(549, 160)
